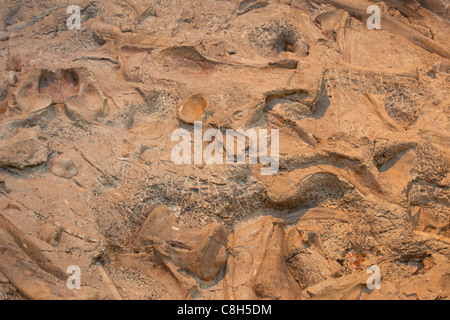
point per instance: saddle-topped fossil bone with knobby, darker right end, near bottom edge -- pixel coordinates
(178, 258)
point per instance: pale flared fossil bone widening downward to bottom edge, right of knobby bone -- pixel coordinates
(256, 267)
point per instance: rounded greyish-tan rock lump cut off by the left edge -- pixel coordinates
(27, 148)
